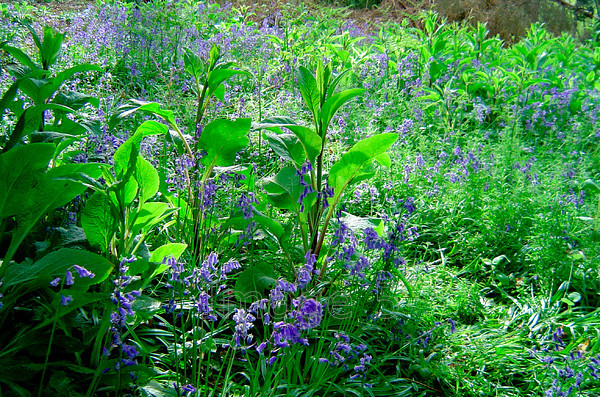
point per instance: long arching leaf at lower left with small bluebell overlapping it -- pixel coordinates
(55, 264)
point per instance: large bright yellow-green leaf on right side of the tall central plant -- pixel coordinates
(362, 154)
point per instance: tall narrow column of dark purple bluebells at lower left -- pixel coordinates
(123, 302)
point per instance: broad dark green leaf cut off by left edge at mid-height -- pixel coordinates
(20, 172)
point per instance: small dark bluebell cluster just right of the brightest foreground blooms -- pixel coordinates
(349, 356)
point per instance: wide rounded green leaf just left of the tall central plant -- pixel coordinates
(222, 139)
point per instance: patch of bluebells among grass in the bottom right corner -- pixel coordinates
(571, 372)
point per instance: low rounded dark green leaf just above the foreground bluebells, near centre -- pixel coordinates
(252, 282)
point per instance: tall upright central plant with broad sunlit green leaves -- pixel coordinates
(308, 189)
